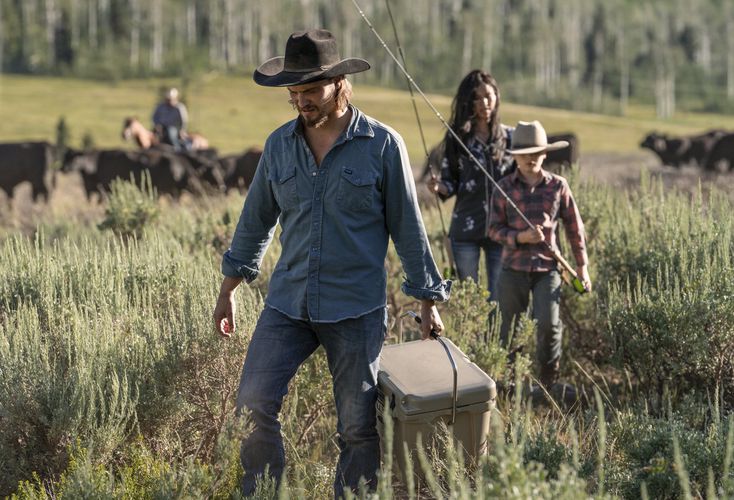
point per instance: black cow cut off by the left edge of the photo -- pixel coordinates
(27, 162)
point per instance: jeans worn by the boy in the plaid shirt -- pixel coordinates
(514, 296)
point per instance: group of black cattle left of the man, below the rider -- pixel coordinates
(170, 172)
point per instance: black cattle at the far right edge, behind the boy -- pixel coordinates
(712, 150)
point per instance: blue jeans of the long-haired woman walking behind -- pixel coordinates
(466, 258)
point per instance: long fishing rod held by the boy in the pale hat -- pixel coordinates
(574, 279)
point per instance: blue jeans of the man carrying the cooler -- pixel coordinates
(278, 347)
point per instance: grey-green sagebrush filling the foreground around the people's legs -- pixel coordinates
(114, 384)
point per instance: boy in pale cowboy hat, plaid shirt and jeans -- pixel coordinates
(527, 263)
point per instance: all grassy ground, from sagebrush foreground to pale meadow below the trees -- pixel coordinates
(114, 385)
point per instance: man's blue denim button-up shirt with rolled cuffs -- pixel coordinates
(336, 220)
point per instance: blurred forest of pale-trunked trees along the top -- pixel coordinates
(595, 55)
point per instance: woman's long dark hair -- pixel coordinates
(462, 115)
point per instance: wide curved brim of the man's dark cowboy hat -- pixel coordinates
(271, 73)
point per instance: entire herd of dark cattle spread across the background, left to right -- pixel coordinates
(204, 171)
